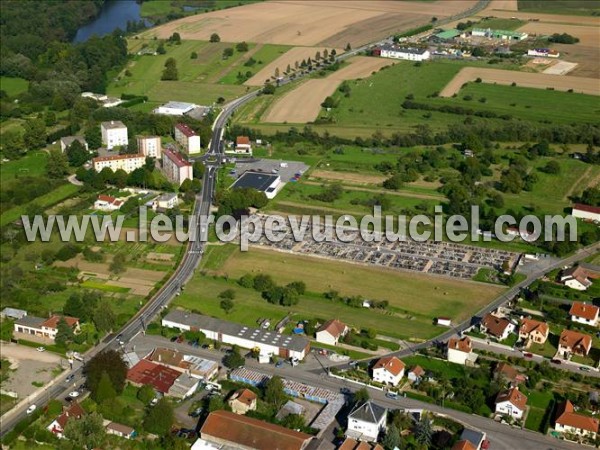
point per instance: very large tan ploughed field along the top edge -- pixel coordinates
(304, 23)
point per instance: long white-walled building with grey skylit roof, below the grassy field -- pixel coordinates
(268, 342)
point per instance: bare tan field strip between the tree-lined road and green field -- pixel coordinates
(303, 104)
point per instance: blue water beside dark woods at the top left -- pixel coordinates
(114, 14)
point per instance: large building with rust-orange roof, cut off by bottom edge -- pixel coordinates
(230, 430)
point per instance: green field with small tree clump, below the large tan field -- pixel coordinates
(198, 78)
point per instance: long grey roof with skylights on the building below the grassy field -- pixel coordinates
(295, 343)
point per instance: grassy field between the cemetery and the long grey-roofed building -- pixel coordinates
(411, 314)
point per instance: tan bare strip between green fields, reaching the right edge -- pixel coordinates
(533, 80)
